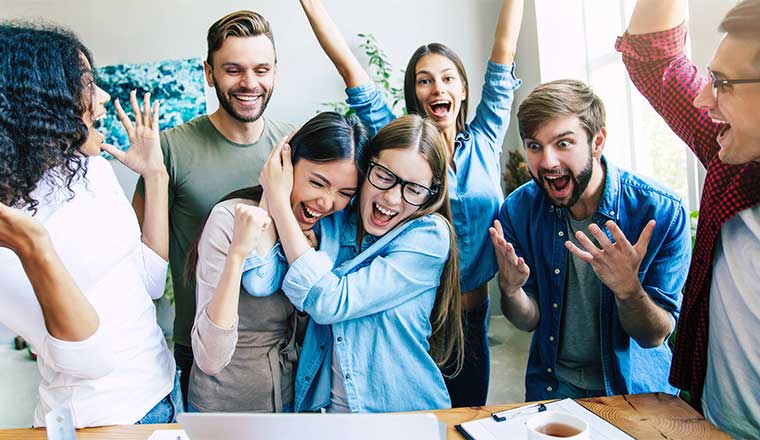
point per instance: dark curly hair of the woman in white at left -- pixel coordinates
(45, 89)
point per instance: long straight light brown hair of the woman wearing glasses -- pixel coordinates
(413, 131)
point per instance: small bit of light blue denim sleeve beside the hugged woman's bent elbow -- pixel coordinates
(263, 276)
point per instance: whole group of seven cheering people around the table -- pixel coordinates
(343, 266)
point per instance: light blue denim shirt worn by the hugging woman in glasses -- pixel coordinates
(372, 307)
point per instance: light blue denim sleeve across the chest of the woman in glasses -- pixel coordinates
(407, 267)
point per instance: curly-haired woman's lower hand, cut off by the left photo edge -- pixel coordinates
(19, 231)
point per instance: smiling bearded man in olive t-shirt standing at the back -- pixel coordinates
(211, 156)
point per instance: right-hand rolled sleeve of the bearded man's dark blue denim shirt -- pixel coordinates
(666, 273)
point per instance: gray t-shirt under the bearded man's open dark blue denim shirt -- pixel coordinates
(579, 360)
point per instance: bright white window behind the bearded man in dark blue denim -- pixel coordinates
(576, 40)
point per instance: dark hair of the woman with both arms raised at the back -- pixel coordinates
(410, 80)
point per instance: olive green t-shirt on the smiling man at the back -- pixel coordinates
(203, 167)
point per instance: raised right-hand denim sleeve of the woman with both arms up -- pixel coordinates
(493, 112)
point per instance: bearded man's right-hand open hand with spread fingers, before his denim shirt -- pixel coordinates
(616, 264)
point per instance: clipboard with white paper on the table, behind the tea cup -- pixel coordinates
(511, 423)
